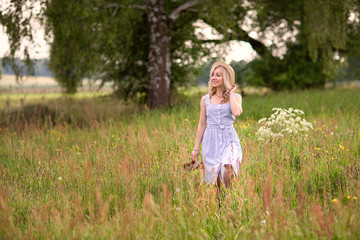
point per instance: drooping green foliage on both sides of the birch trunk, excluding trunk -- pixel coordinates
(117, 40)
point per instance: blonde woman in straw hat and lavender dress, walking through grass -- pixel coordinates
(221, 148)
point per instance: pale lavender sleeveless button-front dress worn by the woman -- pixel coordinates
(221, 144)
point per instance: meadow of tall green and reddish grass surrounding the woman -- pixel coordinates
(103, 169)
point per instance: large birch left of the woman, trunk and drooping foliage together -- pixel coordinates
(115, 40)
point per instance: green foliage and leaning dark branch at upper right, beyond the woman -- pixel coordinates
(320, 30)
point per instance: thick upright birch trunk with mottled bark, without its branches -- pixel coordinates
(159, 55)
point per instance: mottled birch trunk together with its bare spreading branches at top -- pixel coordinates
(159, 25)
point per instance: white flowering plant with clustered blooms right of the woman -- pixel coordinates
(283, 122)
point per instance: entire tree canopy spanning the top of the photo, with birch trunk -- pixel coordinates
(126, 41)
